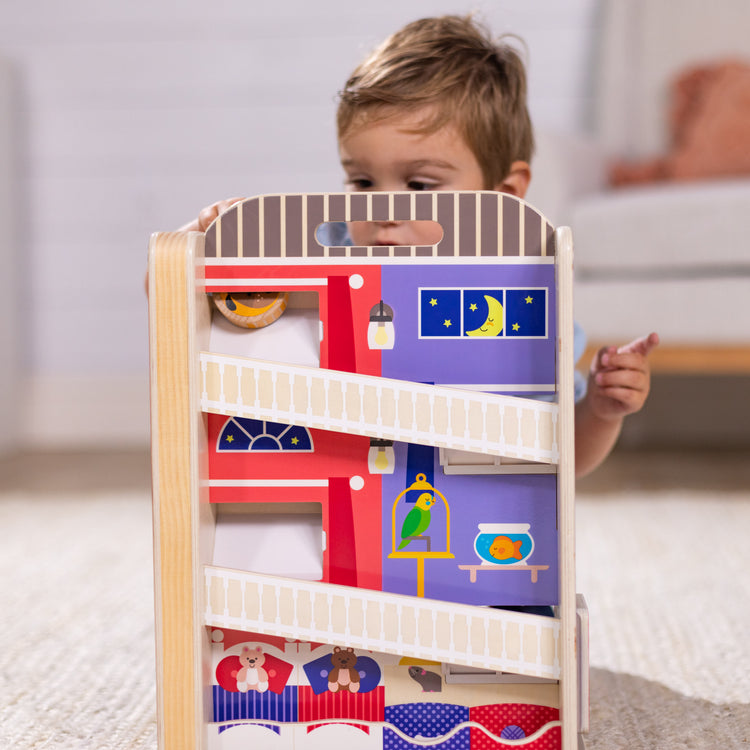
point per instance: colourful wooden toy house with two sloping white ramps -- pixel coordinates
(364, 521)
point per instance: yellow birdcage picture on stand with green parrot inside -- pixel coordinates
(414, 525)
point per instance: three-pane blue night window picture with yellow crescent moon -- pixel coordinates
(483, 313)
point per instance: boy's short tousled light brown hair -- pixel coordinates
(453, 66)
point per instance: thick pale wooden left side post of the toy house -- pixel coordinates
(179, 320)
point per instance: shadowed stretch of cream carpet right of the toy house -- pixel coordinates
(667, 581)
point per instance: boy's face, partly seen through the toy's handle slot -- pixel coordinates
(389, 155)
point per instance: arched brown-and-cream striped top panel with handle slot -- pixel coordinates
(475, 224)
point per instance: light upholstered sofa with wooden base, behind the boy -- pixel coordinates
(671, 256)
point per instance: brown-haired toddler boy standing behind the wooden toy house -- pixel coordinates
(440, 105)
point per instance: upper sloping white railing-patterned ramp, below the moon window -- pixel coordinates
(380, 407)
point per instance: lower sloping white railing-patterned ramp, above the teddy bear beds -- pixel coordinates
(387, 623)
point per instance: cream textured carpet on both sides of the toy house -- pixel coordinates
(666, 577)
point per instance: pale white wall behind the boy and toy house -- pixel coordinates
(135, 114)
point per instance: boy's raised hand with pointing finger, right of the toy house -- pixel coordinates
(620, 379)
